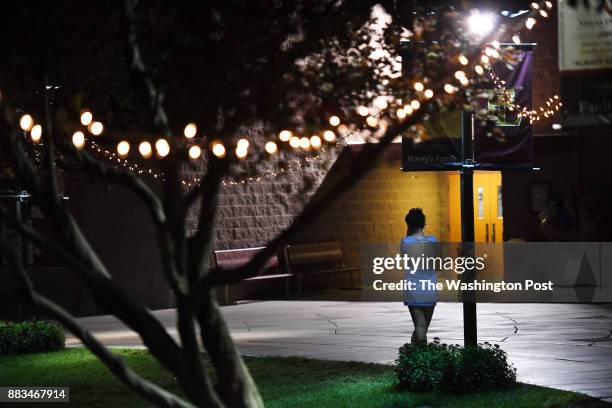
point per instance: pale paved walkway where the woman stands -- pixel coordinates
(564, 346)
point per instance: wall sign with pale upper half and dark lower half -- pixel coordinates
(585, 63)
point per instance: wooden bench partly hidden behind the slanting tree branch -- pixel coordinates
(235, 258)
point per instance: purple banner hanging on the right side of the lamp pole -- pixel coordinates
(506, 139)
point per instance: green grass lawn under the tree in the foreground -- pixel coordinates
(284, 382)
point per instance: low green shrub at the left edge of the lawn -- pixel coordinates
(33, 336)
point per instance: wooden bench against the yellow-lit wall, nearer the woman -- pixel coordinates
(324, 258)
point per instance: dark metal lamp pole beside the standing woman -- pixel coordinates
(467, 226)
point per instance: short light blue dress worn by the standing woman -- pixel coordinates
(418, 296)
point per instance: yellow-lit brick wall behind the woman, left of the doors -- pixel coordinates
(374, 210)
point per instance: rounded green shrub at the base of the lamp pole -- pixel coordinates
(442, 367)
